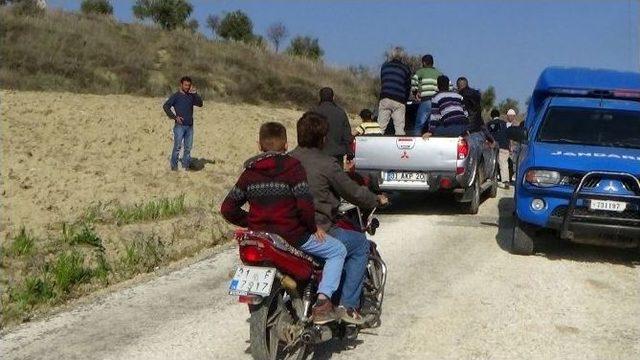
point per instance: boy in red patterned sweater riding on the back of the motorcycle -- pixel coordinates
(280, 202)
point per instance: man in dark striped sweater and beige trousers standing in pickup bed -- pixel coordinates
(395, 78)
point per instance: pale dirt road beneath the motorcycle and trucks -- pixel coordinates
(452, 293)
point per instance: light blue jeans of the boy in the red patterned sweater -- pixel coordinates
(333, 253)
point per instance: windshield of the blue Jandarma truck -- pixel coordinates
(596, 127)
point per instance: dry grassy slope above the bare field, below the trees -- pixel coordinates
(71, 52)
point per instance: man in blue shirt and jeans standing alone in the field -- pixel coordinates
(182, 103)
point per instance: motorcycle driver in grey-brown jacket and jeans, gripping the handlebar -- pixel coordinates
(329, 183)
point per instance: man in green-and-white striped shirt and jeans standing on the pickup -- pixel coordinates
(425, 83)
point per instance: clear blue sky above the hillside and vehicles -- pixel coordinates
(500, 43)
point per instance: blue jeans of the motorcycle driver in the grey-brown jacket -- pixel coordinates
(355, 265)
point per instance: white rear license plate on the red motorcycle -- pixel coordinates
(252, 280)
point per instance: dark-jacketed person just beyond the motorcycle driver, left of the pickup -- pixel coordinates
(339, 136)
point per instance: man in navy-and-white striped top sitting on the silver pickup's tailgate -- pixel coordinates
(448, 116)
